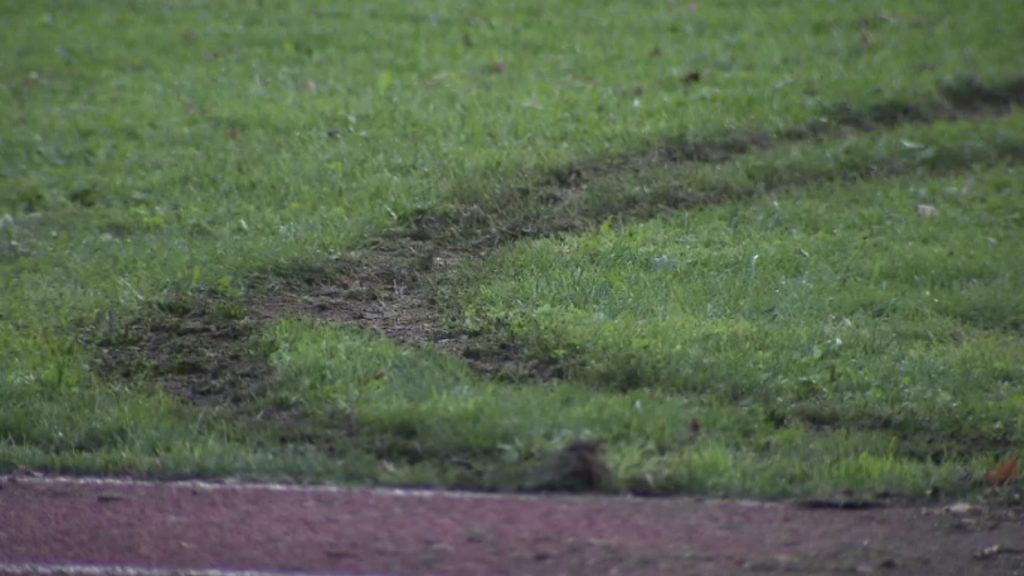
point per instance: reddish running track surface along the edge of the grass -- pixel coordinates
(50, 523)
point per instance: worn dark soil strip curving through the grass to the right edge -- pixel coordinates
(201, 348)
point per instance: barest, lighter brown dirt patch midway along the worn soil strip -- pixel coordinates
(392, 290)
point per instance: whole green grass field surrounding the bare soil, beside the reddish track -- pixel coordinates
(155, 154)
